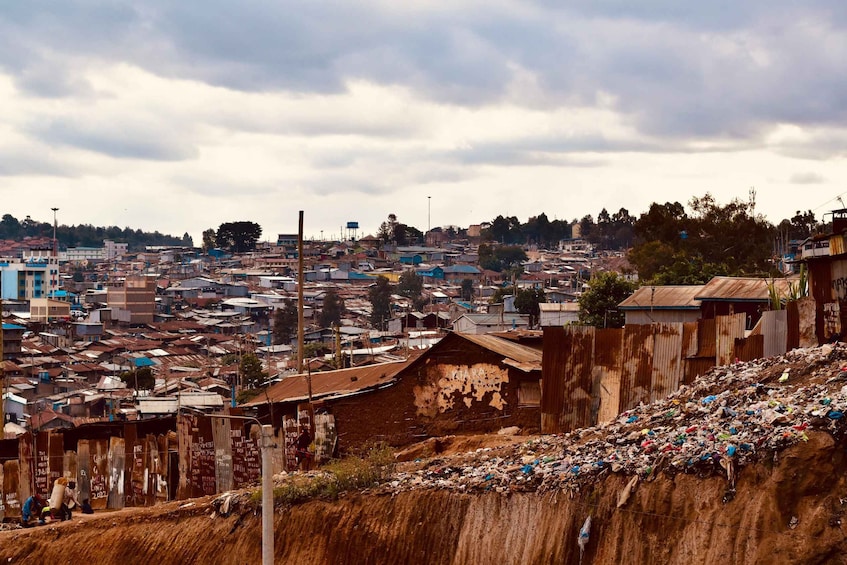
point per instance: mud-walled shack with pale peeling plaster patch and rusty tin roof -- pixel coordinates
(464, 383)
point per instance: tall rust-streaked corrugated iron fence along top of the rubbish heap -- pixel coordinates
(591, 375)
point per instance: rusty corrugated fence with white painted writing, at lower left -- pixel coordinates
(116, 465)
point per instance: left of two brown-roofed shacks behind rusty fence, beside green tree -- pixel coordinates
(662, 304)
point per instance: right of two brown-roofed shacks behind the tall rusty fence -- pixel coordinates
(724, 296)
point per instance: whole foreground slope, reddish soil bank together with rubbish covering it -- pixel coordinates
(746, 466)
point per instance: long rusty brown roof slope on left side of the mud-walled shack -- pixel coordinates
(332, 383)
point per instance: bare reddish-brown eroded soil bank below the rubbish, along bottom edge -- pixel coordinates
(787, 511)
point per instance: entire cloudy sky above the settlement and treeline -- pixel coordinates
(178, 116)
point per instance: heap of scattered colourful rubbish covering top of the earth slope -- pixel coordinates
(731, 416)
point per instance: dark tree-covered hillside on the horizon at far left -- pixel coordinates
(86, 235)
